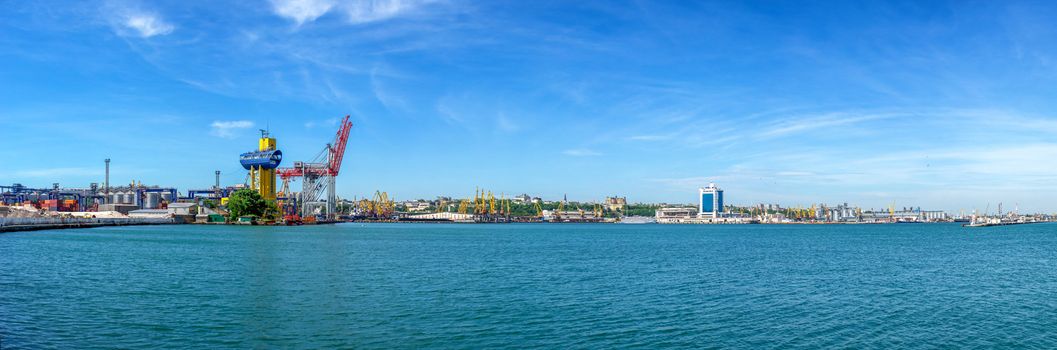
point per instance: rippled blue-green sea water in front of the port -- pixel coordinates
(531, 286)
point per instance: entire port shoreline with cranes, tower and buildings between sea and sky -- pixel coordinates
(24, 208)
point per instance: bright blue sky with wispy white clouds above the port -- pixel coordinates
(941, 105)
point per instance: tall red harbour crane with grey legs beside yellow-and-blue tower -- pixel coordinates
(319, 175)
